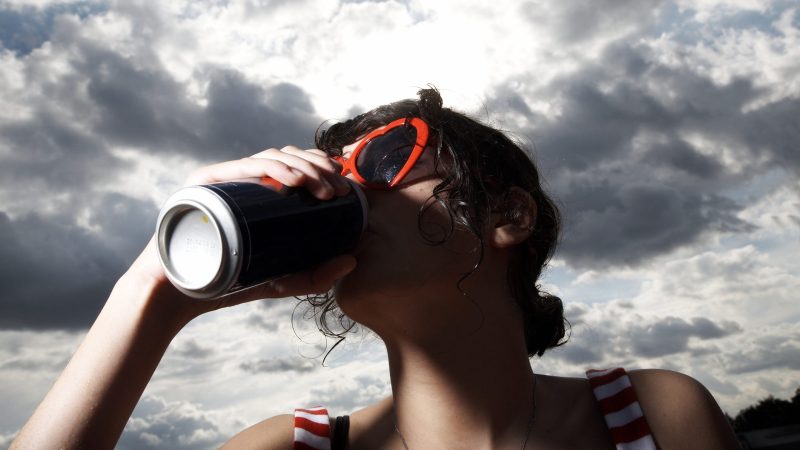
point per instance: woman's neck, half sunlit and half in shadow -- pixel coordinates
(476, 393)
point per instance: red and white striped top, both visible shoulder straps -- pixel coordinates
(612, 388)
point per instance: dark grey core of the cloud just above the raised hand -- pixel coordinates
(148, 109)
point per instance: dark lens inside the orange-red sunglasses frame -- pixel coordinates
(384, 156)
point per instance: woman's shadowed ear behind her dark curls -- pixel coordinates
(514, 219)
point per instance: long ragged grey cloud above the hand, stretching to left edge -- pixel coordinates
(133, 101)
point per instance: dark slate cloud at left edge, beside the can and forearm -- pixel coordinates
(55, 273)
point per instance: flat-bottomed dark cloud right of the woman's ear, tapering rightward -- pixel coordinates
(626, 224)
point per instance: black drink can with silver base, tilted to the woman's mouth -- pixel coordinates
(220, 238)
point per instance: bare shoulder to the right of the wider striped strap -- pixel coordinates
(681, 412)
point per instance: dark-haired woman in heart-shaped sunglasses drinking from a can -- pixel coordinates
(445, 275)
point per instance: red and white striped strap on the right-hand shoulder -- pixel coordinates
(614, 393)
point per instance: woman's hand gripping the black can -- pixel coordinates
(311, 169)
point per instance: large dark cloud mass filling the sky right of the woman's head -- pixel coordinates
(617, 160)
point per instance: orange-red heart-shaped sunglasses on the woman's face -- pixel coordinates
(386, 155)
